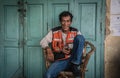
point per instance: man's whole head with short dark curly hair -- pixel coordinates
(65, 19)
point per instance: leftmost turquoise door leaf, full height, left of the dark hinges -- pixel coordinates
(11, 51)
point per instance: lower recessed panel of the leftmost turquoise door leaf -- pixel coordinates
(11, 61)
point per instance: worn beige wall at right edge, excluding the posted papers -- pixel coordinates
(112, 49)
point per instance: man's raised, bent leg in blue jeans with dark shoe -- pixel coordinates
(77, 51)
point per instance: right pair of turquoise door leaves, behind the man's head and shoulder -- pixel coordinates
(87, 18)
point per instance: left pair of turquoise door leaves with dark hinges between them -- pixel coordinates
(20, 53)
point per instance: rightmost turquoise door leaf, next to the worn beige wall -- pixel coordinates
(88, 15)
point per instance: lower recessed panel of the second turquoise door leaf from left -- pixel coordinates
(33, 62)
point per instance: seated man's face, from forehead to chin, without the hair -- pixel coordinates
(66, 22)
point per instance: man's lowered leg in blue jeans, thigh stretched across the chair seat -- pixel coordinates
(56, 68)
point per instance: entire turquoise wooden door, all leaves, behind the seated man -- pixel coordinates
(20, 53)
